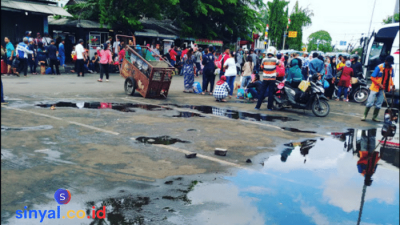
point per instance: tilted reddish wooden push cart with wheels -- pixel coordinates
(144, 71)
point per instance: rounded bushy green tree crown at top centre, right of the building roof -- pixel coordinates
(223, 19)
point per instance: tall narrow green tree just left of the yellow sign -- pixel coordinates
(278, 20)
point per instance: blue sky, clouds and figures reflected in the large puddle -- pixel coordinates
(343, 182)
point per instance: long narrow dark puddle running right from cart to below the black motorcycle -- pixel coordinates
(233, 114)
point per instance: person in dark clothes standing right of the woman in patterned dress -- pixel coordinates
(208, 71)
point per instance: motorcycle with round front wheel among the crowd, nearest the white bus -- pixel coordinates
(359, 91)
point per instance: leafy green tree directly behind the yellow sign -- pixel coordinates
(300, 17)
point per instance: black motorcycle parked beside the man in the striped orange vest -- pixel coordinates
(313, 98)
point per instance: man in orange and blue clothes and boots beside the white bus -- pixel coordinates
(382, 81)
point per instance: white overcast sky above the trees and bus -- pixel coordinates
(345, 20)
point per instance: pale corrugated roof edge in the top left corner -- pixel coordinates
(34, 7)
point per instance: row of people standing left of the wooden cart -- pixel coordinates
(50, 54)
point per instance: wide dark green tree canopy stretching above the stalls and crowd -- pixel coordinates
(213, 19)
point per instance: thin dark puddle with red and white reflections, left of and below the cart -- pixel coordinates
(123, 107)
